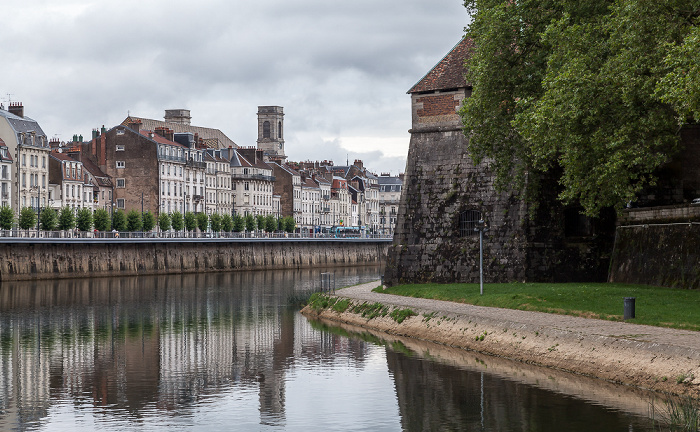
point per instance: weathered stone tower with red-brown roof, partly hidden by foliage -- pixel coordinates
(446, 193)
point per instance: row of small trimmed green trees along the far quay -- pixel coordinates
(86, 220)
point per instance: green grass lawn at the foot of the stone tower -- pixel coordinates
(663, 307)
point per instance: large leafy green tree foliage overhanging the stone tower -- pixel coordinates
(580, 86)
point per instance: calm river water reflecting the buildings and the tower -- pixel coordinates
(226, 352)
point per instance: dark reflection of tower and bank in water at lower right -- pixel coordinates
(443, 388)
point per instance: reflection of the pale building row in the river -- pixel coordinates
(134, 344)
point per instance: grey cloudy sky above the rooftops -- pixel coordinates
(340, 69)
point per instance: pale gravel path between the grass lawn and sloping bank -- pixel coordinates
(679, 341)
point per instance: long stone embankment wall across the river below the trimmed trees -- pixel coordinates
(63, 259)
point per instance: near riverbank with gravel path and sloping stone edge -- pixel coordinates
(654, 358)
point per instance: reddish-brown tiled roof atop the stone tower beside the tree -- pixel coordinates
(449, 72)
